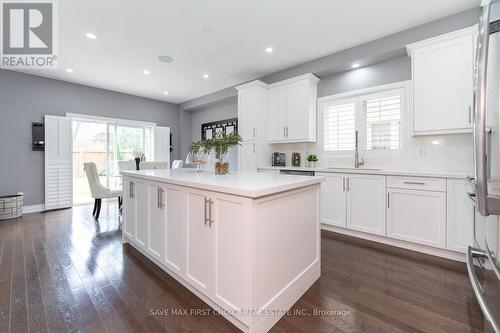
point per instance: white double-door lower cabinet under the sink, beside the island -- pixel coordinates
(353, 201)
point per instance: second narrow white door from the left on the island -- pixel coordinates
(142, 214)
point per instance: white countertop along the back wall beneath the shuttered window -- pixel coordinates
(373, 171)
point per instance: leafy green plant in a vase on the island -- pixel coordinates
(220, 144)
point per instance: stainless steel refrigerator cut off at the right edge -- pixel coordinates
(483, 262)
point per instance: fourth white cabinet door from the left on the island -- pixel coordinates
(175, 244)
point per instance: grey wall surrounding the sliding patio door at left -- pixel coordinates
(27, 98)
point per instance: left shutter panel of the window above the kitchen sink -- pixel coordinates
(339, 125)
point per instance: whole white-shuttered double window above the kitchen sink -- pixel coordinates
(375, 113)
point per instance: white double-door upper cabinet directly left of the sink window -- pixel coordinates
(292, 110)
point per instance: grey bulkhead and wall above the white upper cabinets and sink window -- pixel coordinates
(383, 61)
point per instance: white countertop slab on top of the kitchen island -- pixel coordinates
(247, 184)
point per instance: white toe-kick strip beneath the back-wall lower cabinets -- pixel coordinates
(437, 252)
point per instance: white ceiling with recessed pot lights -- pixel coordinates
(223, 38)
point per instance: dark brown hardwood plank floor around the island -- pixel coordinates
(61, 271)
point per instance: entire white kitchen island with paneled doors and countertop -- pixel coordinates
(246, 243)
